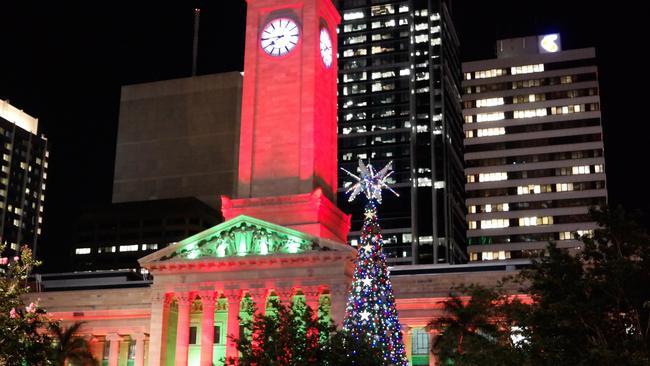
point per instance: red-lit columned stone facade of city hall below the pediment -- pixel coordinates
(140, 326)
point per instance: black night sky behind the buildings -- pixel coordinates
(65, 63)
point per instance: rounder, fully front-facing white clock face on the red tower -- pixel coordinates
(279, 36)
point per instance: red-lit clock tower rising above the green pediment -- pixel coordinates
(287, 147)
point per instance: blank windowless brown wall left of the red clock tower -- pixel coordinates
(179, 138)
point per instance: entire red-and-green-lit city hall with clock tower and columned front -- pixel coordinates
(283, 237)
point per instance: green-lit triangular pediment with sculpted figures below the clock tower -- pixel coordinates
(243, 236)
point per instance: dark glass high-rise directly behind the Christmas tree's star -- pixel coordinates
(399, 100)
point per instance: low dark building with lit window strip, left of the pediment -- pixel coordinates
(116, 235)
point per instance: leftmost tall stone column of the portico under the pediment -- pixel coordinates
(158, 327)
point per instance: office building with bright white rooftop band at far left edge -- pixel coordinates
(22, 179)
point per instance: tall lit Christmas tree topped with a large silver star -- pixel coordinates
(370, 313)
